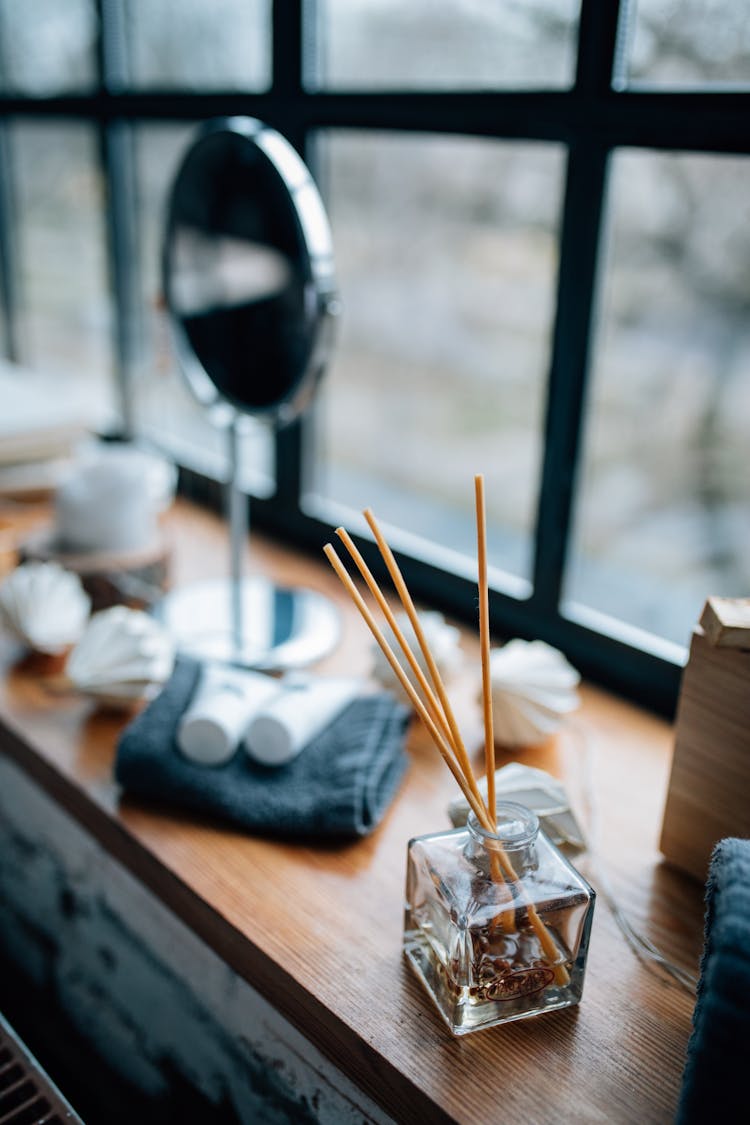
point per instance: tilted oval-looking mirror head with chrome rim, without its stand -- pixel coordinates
(249, 272)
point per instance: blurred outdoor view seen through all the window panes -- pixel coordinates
(448, 253)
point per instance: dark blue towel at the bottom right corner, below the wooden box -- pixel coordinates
(716, 1081)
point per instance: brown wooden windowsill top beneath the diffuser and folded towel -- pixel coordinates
(319, 930)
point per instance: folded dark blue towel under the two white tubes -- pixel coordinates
(340, 786)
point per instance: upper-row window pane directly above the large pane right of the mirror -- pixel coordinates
(456, 43)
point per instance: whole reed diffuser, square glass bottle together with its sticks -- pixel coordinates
(498, 921)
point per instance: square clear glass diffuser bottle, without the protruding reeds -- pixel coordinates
(498, 924)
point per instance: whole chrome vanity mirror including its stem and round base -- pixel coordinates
(250, 290)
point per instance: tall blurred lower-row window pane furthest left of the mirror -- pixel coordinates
(66, 310)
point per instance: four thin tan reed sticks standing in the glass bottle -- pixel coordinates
(432, 705)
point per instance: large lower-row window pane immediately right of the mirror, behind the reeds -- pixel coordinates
(447, 256)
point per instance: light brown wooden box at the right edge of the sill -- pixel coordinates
(709, 796)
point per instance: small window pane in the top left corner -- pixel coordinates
(47, 47)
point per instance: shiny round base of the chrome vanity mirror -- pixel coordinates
(281, 628)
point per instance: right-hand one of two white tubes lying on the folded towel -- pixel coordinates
(285, 726)
